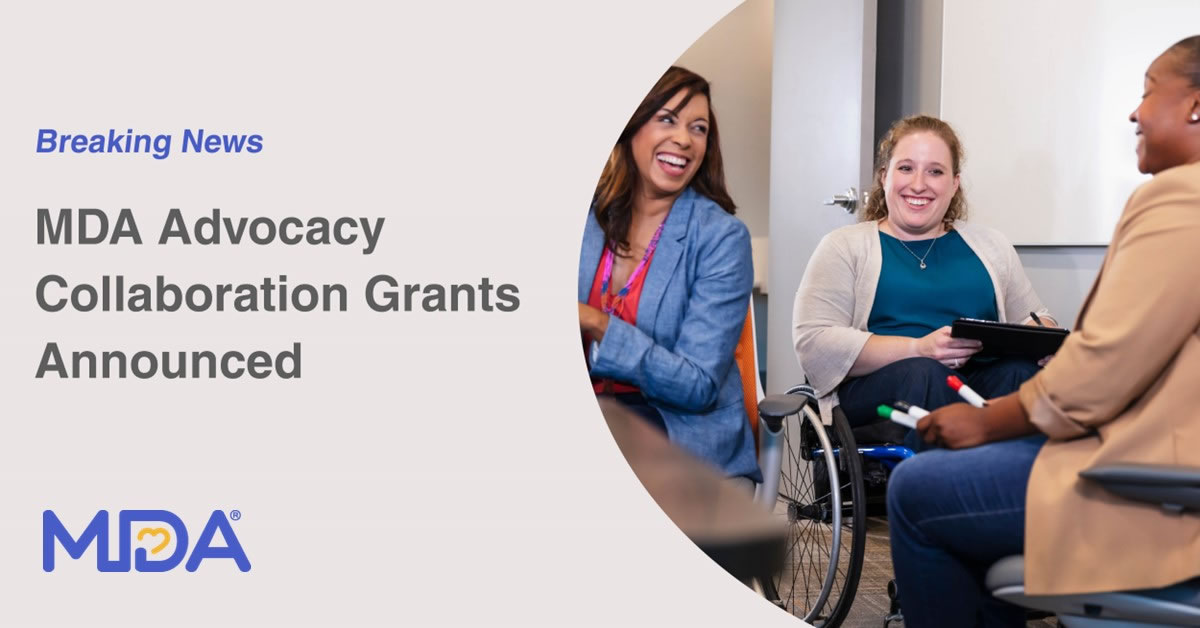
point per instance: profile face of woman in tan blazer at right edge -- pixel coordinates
(1163, 117)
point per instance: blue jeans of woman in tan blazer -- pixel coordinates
(952, 515)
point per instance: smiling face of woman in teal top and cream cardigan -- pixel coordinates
(919, 186)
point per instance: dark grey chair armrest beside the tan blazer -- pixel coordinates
(1175, 488)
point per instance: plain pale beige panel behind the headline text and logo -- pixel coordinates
(429, 469)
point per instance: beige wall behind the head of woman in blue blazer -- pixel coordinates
(735, 57)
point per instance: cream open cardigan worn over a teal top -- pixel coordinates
(836, 297)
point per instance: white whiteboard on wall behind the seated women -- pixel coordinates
(1041, 94)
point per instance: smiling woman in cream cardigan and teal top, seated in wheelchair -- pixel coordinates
(873, 313)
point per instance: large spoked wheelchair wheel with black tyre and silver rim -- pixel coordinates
(821, 495)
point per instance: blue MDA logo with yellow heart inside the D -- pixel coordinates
(98, 531)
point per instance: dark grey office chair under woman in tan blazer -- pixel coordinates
(1177, 491)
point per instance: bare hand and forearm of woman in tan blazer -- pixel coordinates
(961, 426)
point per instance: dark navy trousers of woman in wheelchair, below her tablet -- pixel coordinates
(922, 382)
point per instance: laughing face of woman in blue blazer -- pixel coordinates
(670, 148)
